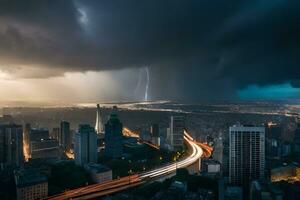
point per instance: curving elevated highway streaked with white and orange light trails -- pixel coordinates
(117, 185)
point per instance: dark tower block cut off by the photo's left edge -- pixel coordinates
(11, 145)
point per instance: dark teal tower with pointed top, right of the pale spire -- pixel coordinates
(113, 136)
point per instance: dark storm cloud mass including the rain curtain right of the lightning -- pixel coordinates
(194, 48)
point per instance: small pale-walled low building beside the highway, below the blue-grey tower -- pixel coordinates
(99, 173)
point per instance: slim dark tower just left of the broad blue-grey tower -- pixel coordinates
(65, 135)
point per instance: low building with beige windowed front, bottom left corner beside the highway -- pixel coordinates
(30, 184)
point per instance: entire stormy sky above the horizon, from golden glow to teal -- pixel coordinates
(196, 50)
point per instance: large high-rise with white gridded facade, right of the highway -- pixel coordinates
(246, 154)
